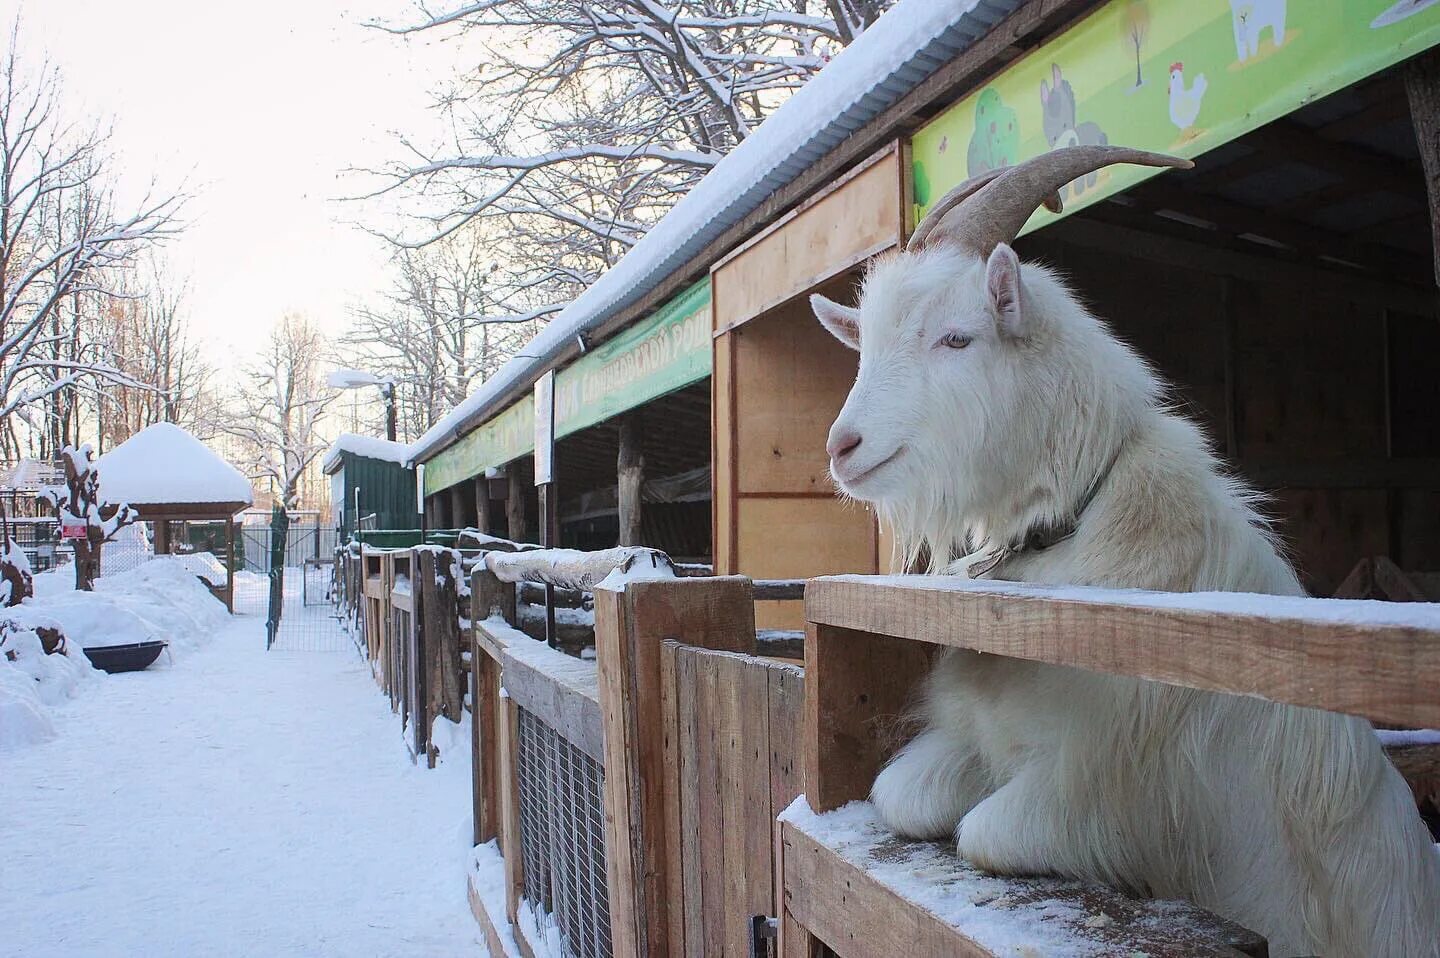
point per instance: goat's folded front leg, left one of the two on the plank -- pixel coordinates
(931, 784)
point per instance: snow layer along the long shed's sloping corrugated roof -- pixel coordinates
(894, 57)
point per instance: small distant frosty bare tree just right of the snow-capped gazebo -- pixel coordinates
(277, 408)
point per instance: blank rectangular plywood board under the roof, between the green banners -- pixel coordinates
(839, 231)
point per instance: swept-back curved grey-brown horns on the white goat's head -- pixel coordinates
(993, 208)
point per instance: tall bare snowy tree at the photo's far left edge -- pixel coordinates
(63, 247)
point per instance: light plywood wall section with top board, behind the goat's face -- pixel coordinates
(780, 381)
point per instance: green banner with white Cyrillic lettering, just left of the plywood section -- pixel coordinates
(669, 351)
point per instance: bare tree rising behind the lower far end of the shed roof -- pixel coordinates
(449, 323)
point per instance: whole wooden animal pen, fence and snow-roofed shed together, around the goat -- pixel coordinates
(688, 790)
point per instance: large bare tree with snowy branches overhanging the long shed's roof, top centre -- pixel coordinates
(588, 119)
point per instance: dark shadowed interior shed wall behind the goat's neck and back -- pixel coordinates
(1307, 382)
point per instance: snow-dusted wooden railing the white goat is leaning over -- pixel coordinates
(870, 642)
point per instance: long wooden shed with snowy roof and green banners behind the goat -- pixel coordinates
(1285, 286)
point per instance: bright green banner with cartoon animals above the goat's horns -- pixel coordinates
(1173, 76)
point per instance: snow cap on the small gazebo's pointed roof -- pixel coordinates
(166, 465)
